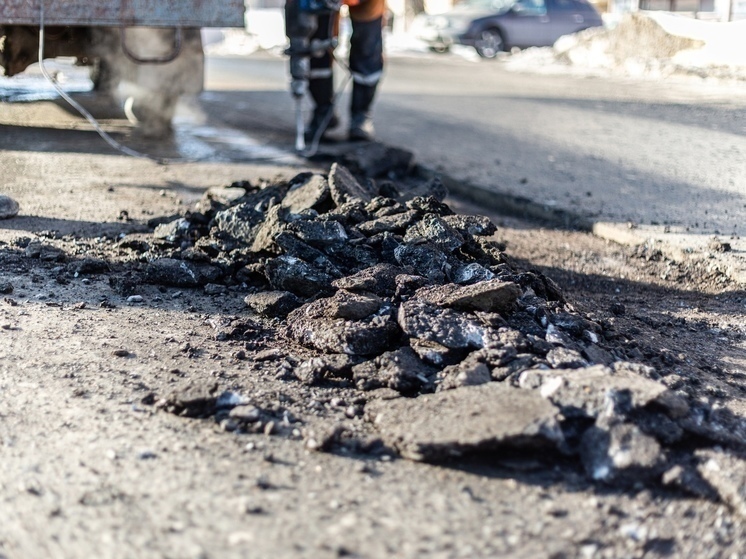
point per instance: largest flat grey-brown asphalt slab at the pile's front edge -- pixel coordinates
(435, 427)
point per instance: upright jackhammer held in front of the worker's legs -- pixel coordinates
(301, 22)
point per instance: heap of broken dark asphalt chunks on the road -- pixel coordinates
(415, 319)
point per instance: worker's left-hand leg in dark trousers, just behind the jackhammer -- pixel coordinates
(321, 86)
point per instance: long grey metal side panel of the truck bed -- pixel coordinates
(124, 13)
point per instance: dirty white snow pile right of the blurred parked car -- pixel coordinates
(646, 44)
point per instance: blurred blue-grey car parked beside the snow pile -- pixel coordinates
(492, 26)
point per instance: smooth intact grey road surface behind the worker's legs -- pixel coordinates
(612, 150)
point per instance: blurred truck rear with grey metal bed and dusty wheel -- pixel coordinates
(145, 54)
